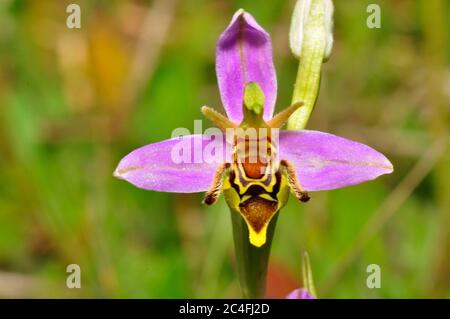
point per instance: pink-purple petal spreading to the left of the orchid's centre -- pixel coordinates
(181, 165)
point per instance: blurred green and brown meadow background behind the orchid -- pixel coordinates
(73, 102)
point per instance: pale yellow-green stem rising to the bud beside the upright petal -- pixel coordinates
(307, 82)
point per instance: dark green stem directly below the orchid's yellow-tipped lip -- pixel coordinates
(251, 261)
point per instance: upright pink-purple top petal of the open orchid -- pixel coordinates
(244, 54)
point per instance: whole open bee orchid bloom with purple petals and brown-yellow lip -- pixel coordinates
(299, 161)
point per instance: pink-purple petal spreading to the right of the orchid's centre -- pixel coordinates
(325, 161)
